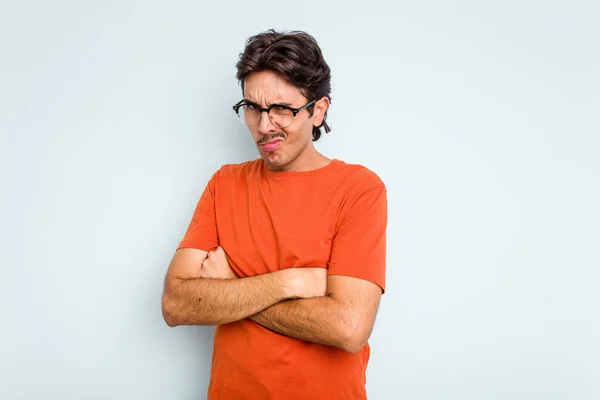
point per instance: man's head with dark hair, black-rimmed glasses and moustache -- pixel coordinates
(286, 73)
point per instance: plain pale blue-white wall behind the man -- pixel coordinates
(481, 117)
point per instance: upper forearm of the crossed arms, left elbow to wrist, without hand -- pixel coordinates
(220, 301)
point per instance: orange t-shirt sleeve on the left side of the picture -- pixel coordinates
(202, 230)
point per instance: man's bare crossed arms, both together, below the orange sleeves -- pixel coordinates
(304, 303)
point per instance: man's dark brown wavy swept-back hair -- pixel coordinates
(296, 57)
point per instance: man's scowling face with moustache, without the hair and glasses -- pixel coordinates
(278, 147)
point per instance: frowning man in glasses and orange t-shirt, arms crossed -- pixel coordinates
(286, 253)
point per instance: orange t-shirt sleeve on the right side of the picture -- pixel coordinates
(359, 245)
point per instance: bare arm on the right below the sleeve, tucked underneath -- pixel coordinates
(344, 318)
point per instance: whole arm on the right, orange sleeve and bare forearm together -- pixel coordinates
(344, 318)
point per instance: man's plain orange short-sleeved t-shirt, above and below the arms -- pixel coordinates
(333, 217)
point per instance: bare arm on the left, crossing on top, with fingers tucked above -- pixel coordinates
(193, 297)
